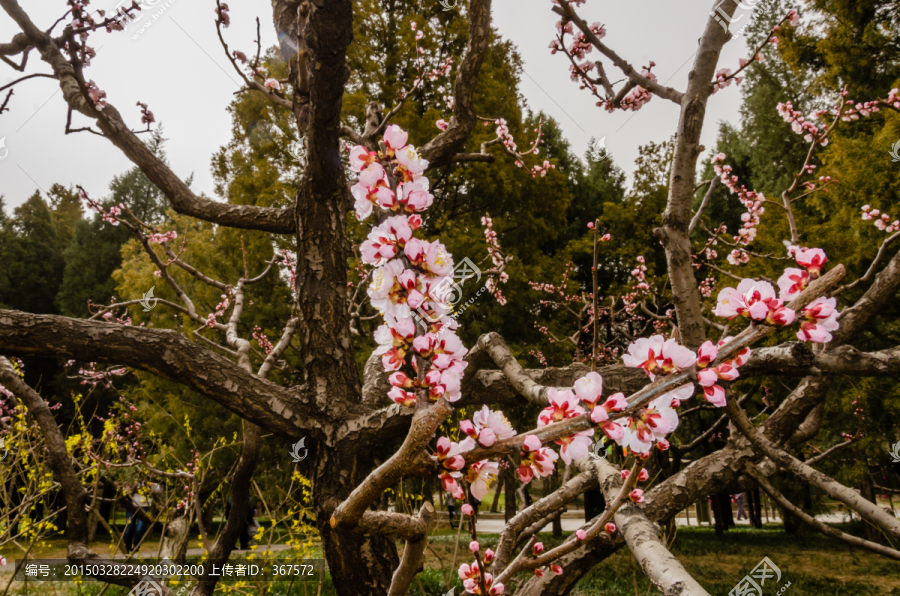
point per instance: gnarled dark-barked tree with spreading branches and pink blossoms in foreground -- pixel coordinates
(421, 370)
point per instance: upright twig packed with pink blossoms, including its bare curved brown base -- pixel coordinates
(409, 275)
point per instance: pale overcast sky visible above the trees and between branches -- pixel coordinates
(174, 63)
